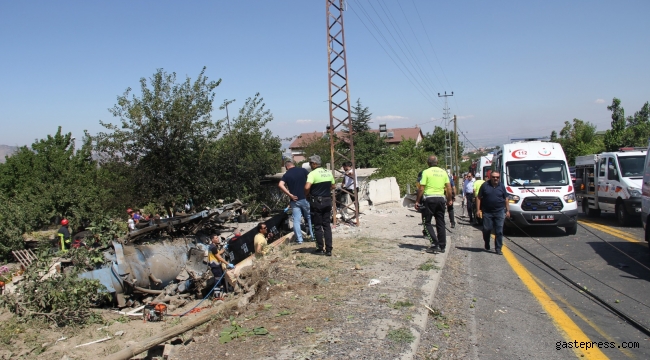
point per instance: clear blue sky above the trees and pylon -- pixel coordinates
(517, 68)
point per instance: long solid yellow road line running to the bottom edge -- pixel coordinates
(562, 321)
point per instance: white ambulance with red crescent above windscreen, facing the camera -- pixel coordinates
(540, 191)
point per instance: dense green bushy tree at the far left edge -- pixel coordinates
(49, 180)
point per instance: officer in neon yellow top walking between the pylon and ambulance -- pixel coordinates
(436, 188)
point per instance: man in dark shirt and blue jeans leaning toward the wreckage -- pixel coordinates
(293, 184)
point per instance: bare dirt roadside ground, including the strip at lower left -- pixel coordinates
(365, 302)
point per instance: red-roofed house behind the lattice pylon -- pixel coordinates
(392, 136)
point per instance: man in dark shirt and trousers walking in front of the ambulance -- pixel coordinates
(493, 207)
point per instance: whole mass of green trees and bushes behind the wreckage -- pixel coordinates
(163, 151)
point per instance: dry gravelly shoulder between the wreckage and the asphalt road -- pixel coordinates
(317, 307)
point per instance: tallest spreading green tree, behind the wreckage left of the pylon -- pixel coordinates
(164, 137)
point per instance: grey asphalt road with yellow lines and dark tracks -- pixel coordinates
(525, 310)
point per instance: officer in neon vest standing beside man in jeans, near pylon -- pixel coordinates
(318, 190)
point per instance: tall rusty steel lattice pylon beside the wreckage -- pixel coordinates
(339, 99)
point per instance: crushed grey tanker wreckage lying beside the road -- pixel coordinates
(167, 257)
